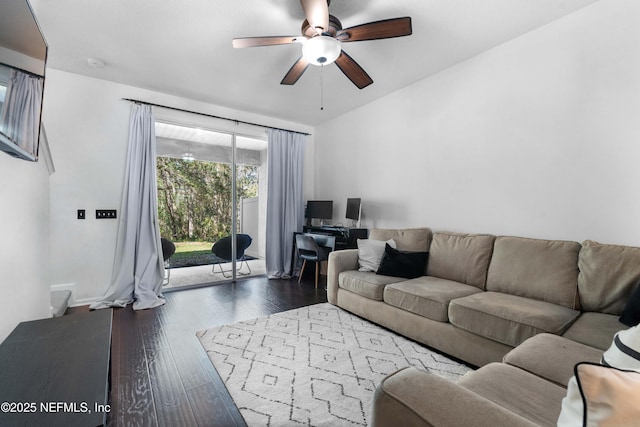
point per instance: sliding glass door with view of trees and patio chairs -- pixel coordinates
(211, 187)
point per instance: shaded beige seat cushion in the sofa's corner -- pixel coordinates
(595, 329)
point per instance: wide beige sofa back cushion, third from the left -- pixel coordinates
(546, 270)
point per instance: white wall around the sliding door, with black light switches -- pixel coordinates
(87, 125)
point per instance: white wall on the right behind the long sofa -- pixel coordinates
(537, 137)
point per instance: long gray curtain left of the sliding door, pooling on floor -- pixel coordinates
(138, 268)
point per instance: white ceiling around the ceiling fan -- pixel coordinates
(184, 48)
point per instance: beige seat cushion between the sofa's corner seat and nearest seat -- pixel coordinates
(551, 357)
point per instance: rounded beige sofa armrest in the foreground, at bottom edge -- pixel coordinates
(413, 397)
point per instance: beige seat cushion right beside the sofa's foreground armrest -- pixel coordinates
(529, 396)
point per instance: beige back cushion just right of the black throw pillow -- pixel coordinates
(459, 257)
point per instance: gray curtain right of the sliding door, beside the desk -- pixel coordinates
(285, 200)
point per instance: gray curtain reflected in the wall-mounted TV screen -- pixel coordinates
(20, 116)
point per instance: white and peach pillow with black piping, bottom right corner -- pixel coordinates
(601, 396)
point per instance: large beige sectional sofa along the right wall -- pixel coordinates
(525, 310)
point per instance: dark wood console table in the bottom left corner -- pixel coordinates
(55, 372)
